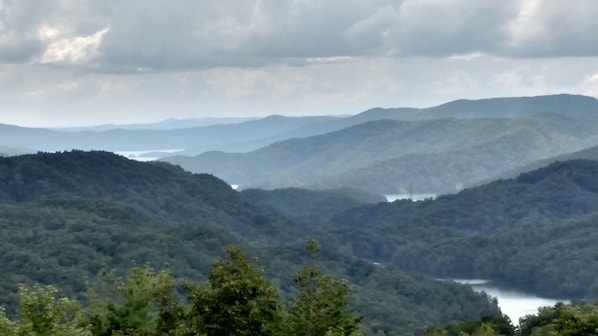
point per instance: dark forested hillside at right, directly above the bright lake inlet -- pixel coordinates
(536, 231)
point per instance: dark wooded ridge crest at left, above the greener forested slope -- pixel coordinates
(163, 191)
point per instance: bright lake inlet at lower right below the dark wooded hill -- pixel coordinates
(513, 303)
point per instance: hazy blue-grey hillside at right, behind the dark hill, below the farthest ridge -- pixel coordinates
(390, 157)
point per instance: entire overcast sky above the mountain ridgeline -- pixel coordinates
(85, 62)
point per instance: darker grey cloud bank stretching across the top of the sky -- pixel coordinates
(158, 34)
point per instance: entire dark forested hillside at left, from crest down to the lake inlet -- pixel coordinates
(66, 216)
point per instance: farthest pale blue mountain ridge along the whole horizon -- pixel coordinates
(253, 134)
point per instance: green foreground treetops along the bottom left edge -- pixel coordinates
(238, 300)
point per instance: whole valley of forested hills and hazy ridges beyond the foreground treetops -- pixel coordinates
(396, 197)
